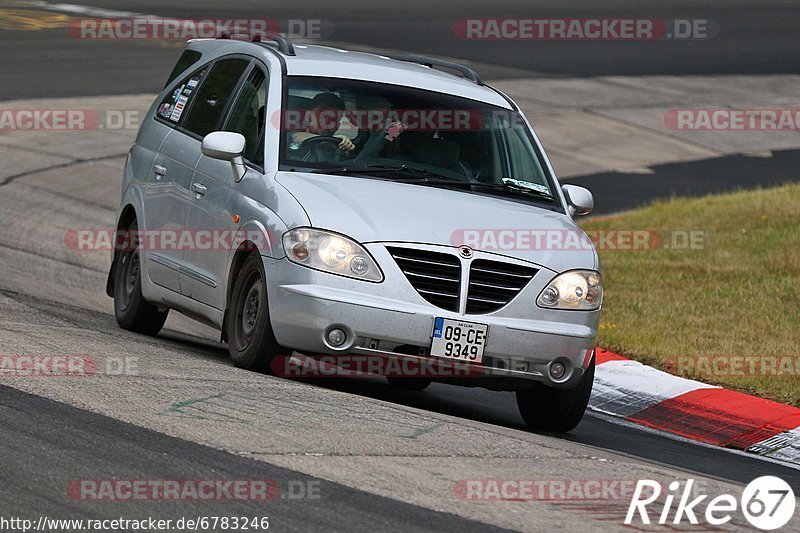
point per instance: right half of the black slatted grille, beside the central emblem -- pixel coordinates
(492, 284)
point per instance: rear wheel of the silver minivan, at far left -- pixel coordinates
(133, 312)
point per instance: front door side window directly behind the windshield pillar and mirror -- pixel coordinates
(247, 116)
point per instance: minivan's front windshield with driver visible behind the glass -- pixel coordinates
(359, 128)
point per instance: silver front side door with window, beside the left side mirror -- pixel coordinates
(211, 211)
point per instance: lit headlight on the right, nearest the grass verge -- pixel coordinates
(581, 290)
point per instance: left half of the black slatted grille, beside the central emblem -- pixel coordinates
(435, 276)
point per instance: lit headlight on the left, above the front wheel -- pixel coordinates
(330, 252)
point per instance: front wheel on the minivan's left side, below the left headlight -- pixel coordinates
(251, 341)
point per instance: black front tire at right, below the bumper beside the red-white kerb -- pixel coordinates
(556, 410)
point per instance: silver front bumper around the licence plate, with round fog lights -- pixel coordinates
(382, 319)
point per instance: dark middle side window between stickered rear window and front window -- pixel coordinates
(213, 95)
